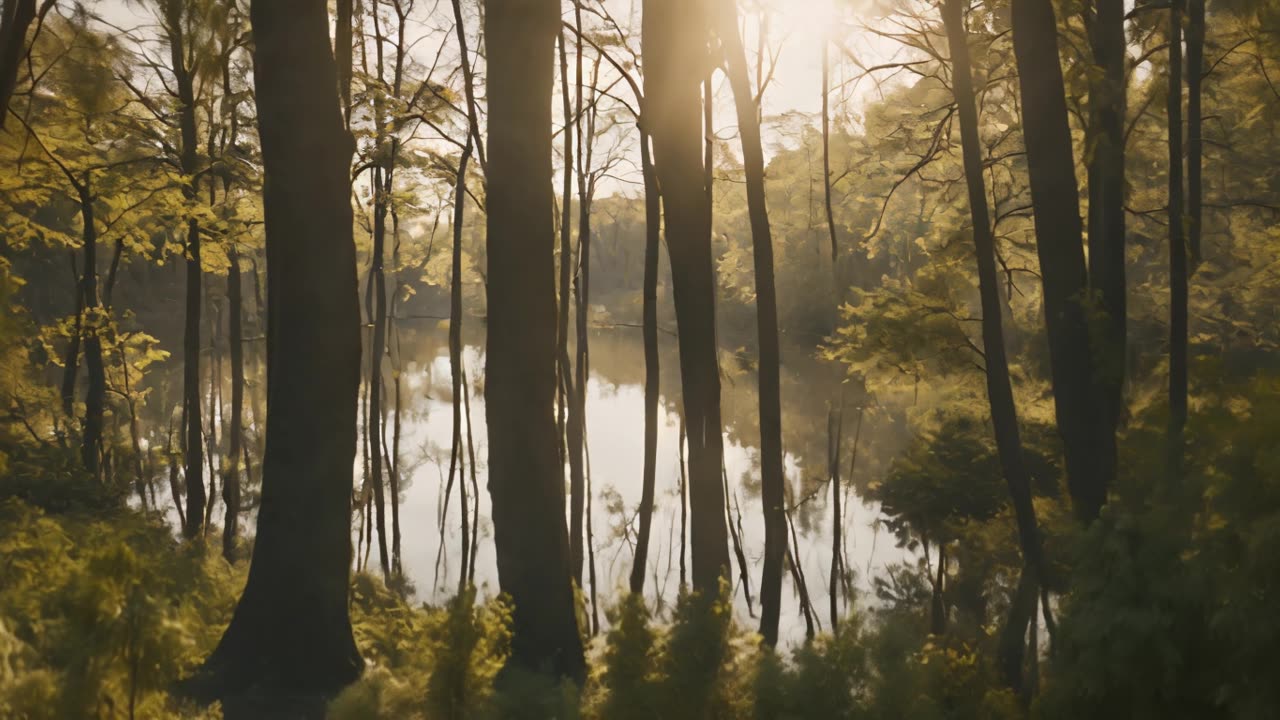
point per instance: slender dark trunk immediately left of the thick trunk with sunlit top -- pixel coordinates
(653, 230)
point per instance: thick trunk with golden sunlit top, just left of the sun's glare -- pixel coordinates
(674, 43)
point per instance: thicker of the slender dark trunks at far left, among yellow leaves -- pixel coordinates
(95, 394)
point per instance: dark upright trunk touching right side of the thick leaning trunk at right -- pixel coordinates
(1107, 220)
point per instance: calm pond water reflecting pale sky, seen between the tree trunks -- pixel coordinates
(615, 416)
